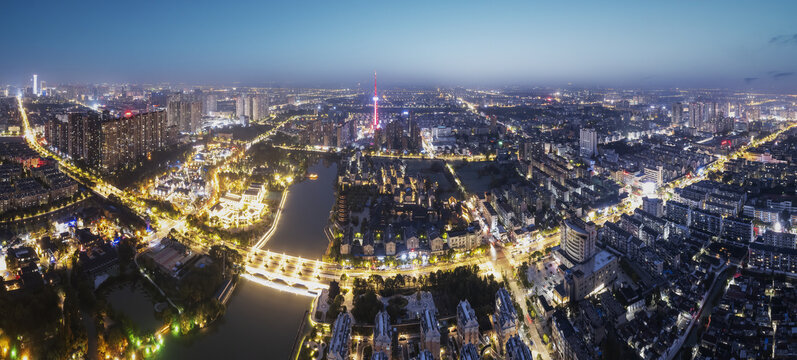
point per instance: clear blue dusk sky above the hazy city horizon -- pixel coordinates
(738, 44)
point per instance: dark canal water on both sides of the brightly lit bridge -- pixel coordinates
(261, 322)
